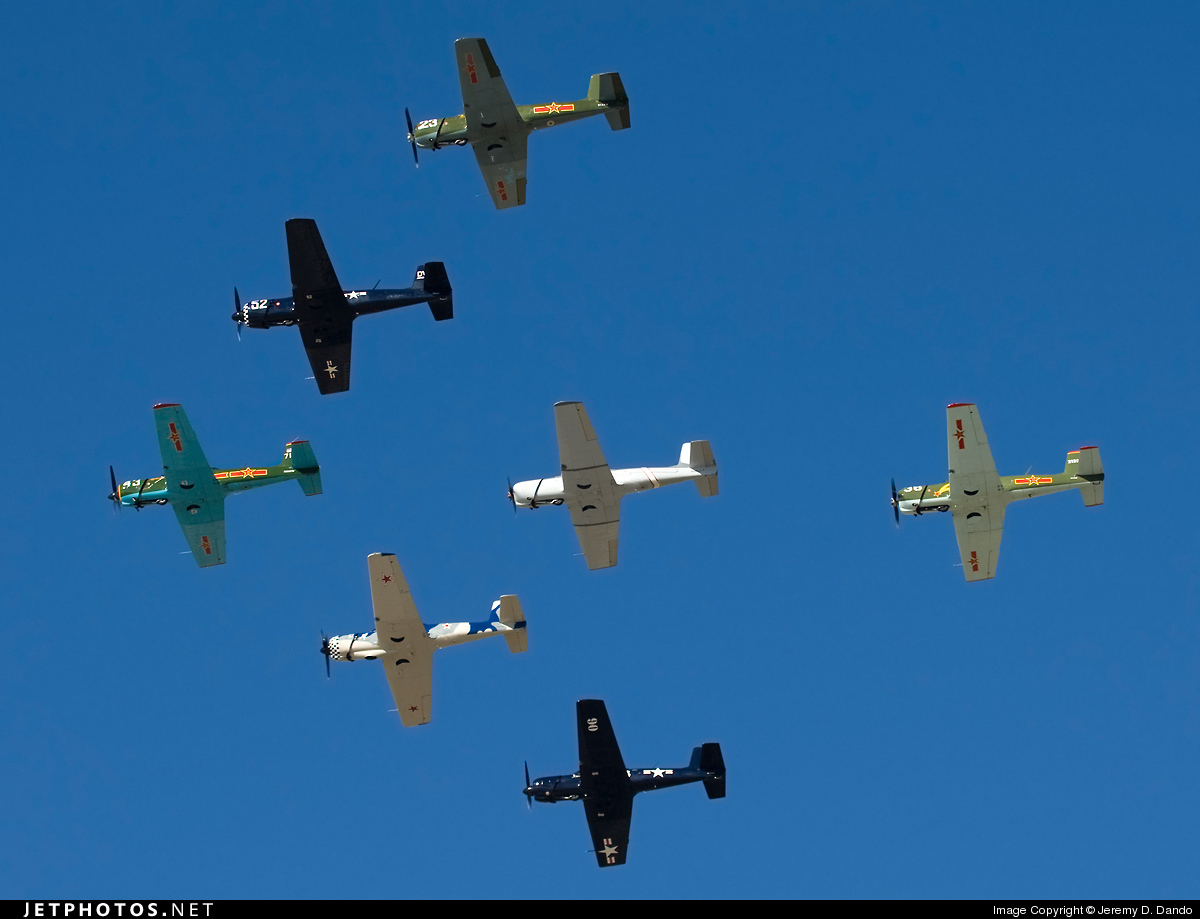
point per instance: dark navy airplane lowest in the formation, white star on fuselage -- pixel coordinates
(607, 788)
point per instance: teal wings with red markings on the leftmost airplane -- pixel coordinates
(193, 491)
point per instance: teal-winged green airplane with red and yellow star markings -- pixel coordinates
(197, 491)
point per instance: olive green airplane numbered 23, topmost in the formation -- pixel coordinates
(499, 130)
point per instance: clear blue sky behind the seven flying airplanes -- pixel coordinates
(827, 223)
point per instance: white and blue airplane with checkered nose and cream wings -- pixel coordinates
(405, 645)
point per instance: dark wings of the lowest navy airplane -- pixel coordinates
(608, 792)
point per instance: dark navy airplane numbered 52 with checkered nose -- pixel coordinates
(326, 313)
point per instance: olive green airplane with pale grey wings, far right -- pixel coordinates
(977, 497)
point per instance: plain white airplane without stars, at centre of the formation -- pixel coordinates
(593, 492)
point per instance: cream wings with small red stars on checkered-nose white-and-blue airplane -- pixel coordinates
(410, 659)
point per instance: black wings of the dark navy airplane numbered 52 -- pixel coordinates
(325, 320)
